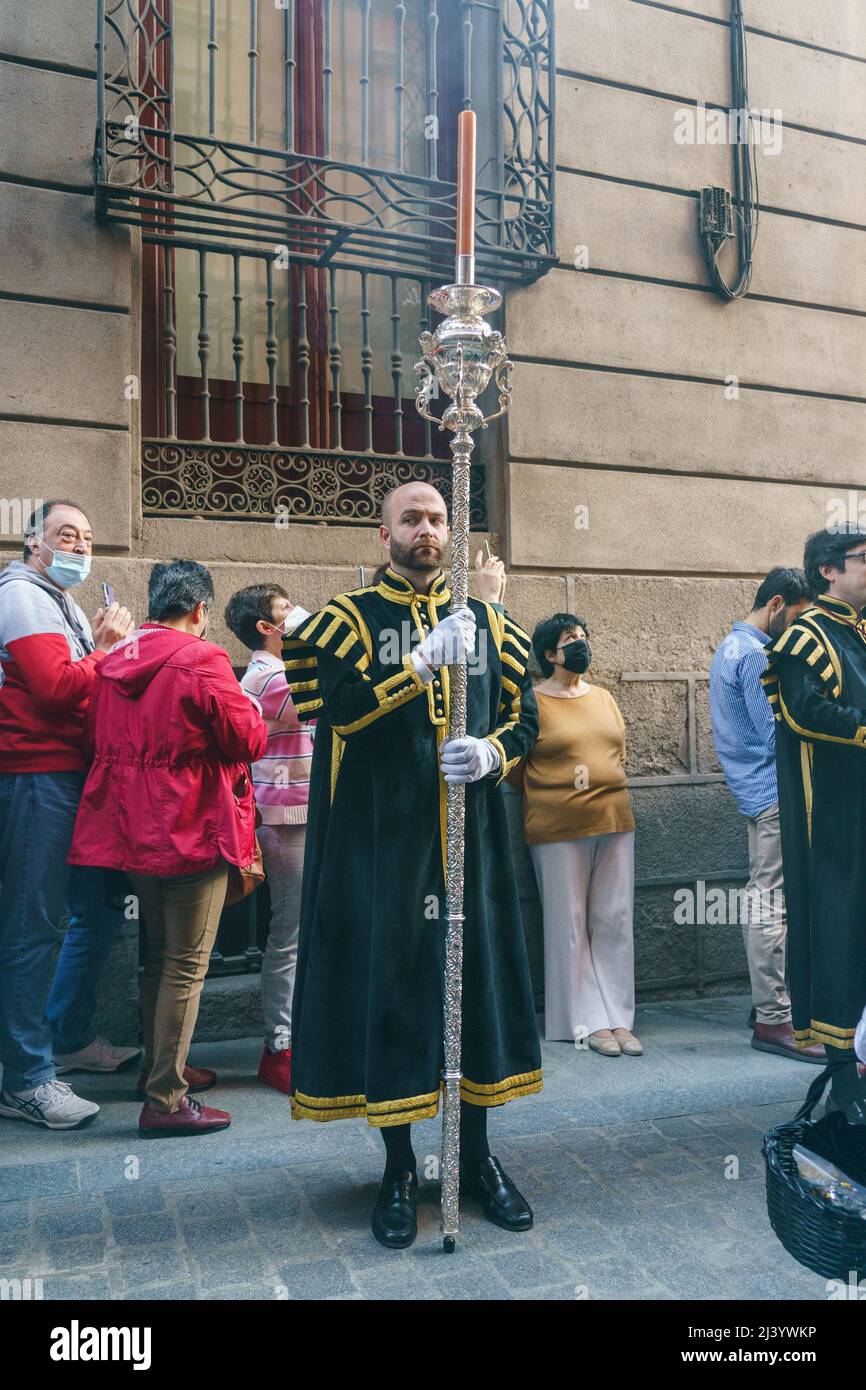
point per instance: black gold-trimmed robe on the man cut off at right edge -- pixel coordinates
(817, 686)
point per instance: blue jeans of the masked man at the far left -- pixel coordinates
(37, 818)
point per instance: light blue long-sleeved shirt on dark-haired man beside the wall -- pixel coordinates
(744, 730)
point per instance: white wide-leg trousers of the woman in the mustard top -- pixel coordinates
(587, 896)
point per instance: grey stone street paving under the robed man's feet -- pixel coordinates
(628, 1164)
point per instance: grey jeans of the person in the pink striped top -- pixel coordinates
(283, 857)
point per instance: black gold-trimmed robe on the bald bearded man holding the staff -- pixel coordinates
(368, 1007)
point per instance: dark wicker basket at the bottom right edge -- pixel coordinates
(821, 1236)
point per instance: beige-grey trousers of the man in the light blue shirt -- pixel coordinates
(764, 921)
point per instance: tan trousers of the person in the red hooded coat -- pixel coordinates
(181, 918)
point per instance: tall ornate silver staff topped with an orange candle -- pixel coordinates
(461, 357)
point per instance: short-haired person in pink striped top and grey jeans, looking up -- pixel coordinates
(259, 616)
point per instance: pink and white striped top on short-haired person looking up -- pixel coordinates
(281, 778)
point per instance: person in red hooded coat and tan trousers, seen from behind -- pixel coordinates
(169, 801)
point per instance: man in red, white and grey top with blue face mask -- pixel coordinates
(48, 665)
